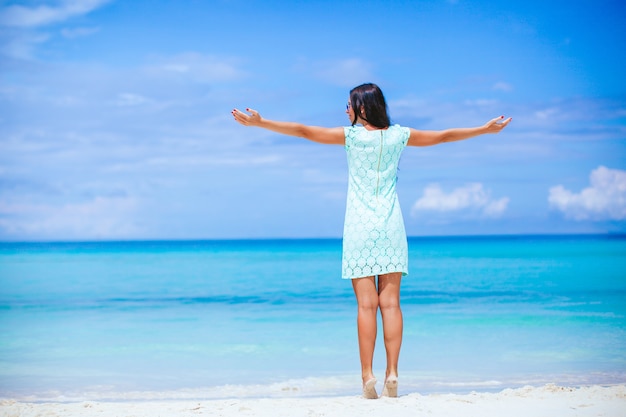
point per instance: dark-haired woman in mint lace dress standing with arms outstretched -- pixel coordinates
(374, 240)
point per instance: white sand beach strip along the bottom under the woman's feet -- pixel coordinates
(548, 401)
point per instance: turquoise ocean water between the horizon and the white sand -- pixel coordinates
(254, 318)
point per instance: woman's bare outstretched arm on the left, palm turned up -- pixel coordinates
(331, 136)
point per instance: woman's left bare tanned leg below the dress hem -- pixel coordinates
(367, 300)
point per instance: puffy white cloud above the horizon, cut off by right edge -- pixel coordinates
(604, 199)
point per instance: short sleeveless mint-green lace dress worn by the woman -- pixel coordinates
(374, 238)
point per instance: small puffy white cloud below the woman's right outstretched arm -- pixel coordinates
(472, 197)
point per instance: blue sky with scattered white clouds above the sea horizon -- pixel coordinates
(115, 115)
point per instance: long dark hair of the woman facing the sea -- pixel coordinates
(371, 98)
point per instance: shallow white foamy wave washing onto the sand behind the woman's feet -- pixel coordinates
(327, 386)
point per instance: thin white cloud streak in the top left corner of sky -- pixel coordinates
(28, 17)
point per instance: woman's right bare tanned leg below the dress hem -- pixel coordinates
(389, 301)
